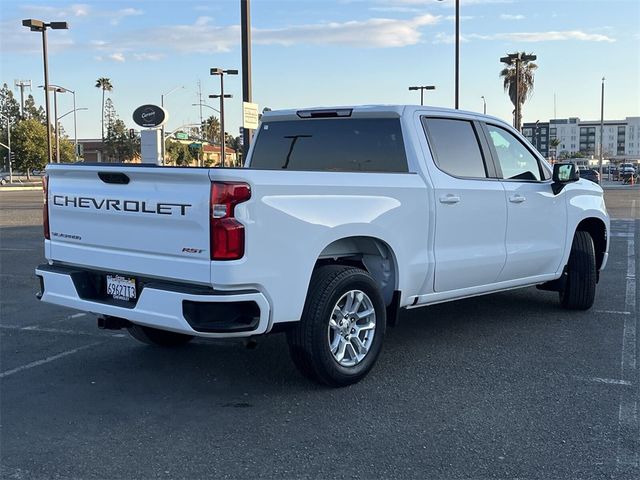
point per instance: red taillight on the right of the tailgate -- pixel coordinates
(226, 233)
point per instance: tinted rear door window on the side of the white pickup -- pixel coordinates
(455, 147)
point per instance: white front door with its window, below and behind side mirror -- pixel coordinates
(536, 229)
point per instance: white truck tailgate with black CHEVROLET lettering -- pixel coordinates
(144, 220)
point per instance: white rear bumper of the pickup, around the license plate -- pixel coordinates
(166, 306)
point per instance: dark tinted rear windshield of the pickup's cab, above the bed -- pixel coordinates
(336, 144)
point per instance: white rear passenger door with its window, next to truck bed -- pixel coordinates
(470, 207)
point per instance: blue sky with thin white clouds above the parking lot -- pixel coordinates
(328, 52)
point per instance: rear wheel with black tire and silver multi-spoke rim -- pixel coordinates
(339, 350)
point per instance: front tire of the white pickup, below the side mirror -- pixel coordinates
(579, 291)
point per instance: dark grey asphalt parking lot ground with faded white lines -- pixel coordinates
(501, 386)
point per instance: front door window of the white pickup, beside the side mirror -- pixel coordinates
(516, 162)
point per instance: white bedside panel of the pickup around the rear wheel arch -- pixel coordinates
(292, 216)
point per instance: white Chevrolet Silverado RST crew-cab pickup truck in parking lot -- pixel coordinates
(341, 217)
